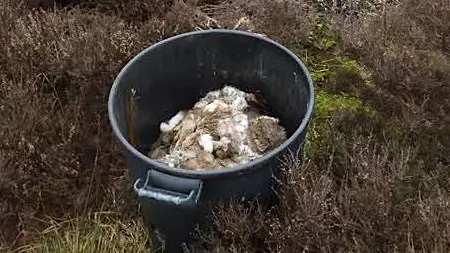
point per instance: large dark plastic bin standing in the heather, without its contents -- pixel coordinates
(174, 74)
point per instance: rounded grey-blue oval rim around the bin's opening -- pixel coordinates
(203, 174)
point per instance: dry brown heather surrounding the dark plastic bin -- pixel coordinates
(368, 184)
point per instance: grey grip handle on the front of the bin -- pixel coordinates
(162, 195)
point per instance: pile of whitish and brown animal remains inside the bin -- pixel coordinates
(225, 128)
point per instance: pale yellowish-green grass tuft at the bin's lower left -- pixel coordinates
(96, 232)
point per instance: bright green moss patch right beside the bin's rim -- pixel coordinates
(331, 73)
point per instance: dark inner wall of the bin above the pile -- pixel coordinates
(174, 75)
